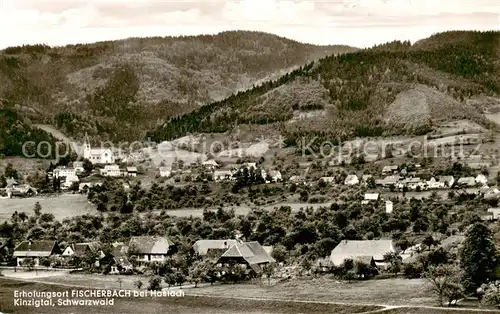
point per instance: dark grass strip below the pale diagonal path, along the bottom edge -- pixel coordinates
(187, 304)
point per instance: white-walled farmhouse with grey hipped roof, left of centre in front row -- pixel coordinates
(151, 248)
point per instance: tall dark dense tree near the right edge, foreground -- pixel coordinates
(478, 257)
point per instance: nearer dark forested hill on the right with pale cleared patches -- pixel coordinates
(393, 88)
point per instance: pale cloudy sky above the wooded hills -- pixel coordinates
(359, 23)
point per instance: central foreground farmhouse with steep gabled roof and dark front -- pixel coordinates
(251, 254)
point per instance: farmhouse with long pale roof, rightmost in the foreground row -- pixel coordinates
(352, 249)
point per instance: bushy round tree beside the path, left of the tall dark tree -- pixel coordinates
(445, 282)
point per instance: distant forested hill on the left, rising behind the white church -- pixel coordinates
(119, 89)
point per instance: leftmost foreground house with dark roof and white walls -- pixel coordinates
(35, 250)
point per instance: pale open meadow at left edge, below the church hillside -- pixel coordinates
(63, 206)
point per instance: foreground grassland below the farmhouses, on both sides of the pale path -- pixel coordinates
(311, 296)
